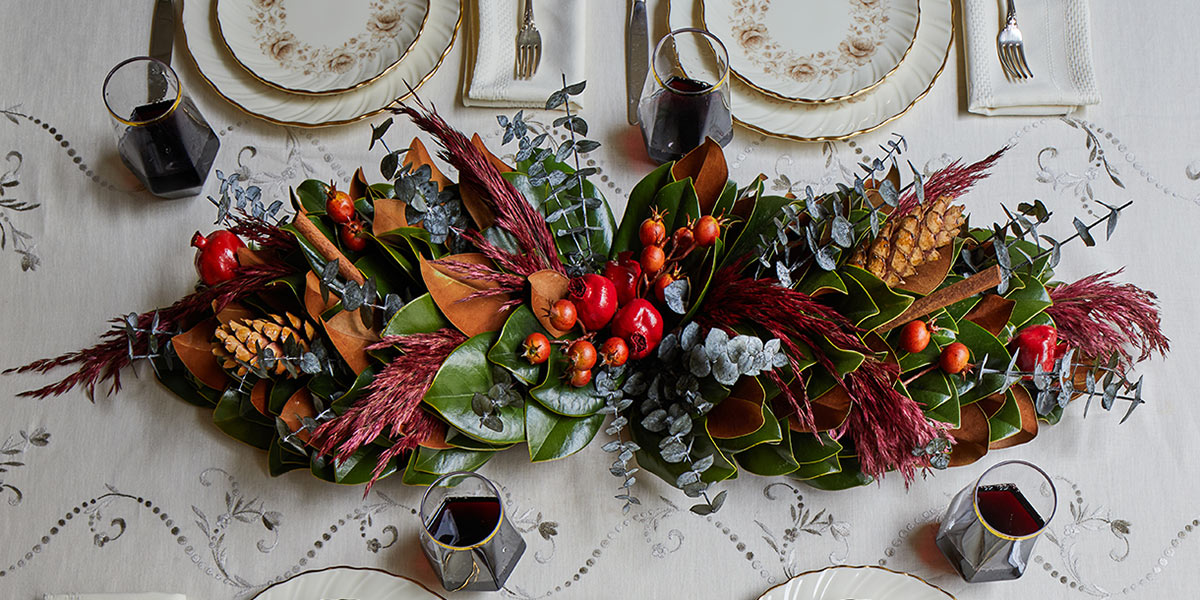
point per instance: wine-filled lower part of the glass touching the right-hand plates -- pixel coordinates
(680, 116)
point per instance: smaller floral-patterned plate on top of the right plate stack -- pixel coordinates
(813, 51)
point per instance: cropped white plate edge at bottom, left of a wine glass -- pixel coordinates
(350, 583)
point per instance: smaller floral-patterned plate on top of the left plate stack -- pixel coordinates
(296, 46)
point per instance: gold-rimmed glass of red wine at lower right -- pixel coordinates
(991, 529)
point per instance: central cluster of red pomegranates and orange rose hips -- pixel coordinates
(614, 301)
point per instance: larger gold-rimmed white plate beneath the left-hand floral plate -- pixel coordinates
(236, 85)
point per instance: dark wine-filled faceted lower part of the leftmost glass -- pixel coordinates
(171, 157)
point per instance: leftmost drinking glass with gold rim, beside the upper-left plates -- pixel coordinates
(160, 135)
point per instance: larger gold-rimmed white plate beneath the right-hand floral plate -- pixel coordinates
(847, 118)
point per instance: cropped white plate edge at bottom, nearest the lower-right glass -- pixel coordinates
(856, 583)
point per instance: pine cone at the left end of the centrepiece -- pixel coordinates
(239, 343)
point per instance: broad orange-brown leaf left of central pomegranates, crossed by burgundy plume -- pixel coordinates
(448, 289)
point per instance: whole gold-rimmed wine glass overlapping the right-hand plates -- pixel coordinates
(687, 95)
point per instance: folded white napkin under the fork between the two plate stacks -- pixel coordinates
(493, 52)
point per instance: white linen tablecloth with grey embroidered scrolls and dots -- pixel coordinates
(142, 493)
